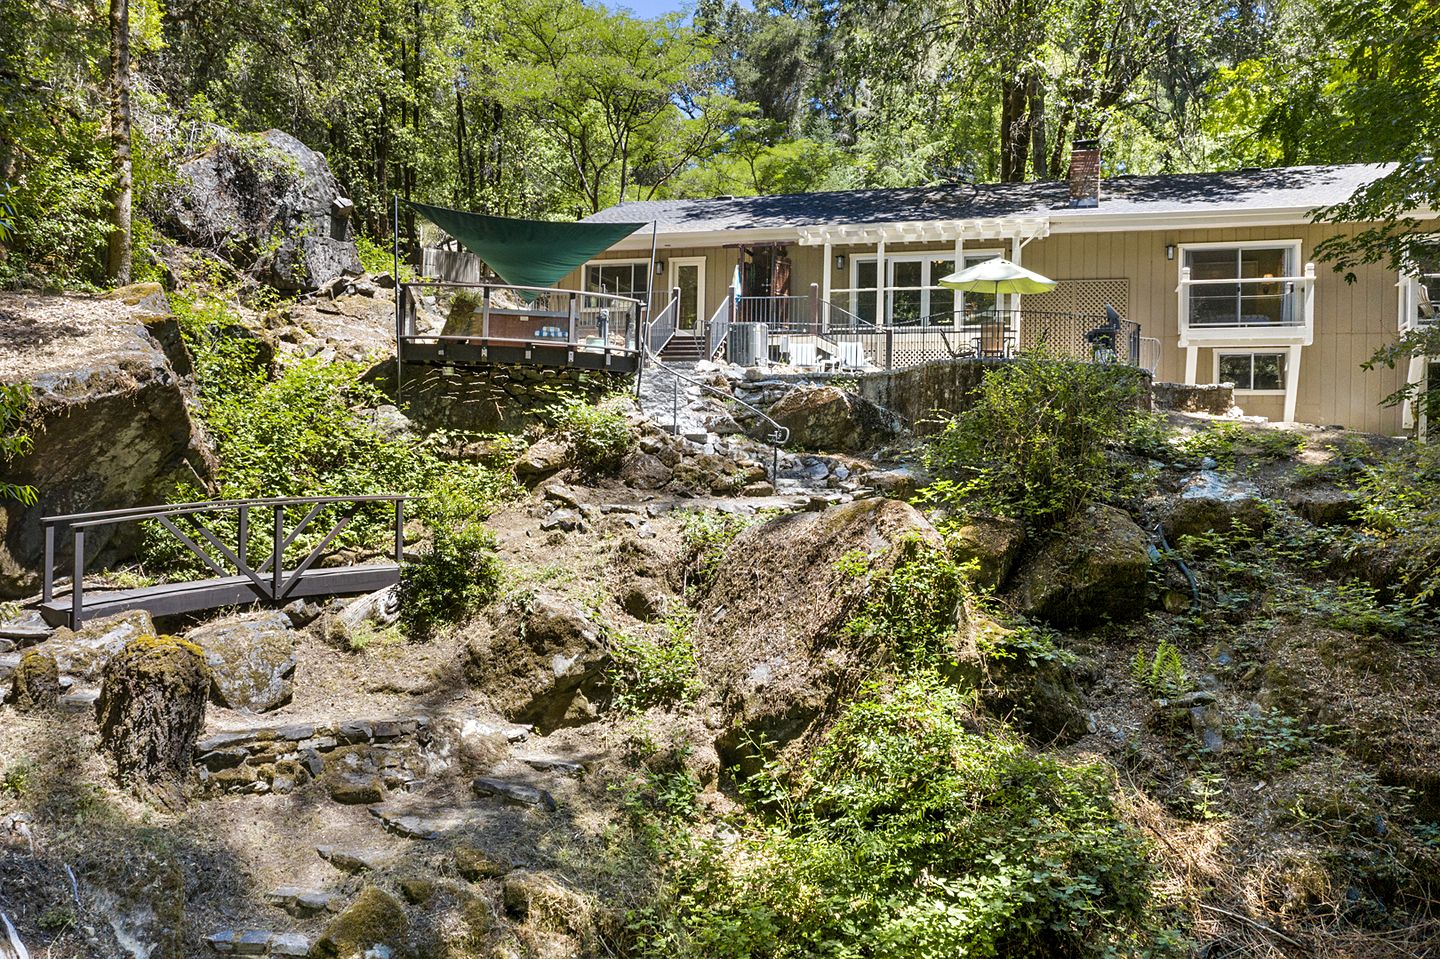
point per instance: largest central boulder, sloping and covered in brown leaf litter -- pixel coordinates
(770, 634)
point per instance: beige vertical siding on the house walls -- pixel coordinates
(1351, 320)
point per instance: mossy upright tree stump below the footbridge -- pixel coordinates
(150, 712)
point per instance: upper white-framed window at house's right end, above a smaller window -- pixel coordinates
(1251, 284)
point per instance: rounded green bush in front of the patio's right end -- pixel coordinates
(1038, 441)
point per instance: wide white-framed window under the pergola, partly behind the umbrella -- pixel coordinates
(914, 292)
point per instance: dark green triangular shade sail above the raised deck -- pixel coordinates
(528, 253)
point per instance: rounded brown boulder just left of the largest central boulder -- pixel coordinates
(544, 663)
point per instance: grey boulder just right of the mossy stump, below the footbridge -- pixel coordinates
(253, 660)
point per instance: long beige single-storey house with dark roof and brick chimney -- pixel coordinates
(1216, 270)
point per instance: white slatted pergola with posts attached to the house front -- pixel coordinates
(1016, 231)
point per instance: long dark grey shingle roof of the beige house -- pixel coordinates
(1252, 191)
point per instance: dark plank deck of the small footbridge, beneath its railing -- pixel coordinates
(230, 591)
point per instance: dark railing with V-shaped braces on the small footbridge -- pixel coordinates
(270, 578)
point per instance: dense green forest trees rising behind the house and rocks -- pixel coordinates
(561, 107)
